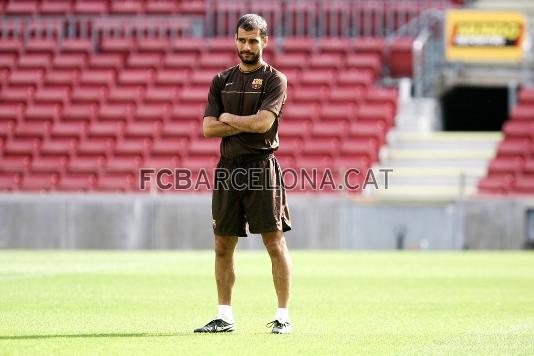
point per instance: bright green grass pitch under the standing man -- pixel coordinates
(344, 303)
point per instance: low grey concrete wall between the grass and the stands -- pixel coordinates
(319, 222)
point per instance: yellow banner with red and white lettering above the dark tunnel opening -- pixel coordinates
(484, 36)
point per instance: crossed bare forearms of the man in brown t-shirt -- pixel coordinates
(229, 124)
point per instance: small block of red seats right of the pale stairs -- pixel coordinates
(511, 171)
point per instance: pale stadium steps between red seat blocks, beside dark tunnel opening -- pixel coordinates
(431, 164)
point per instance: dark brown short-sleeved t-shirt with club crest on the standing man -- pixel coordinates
(246, 93)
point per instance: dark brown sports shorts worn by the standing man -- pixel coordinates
(249, 190)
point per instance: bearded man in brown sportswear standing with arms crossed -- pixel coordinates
(244, 107)
